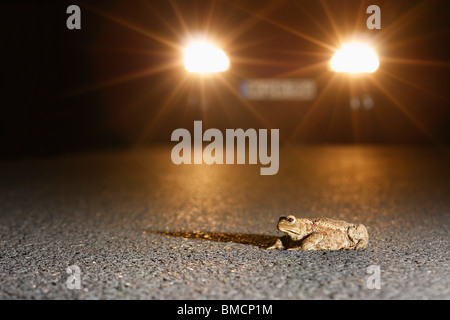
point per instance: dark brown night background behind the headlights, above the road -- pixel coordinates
(65, 90)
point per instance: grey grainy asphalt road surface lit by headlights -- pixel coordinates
(140, 227)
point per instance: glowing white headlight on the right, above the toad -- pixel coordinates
(355, 57)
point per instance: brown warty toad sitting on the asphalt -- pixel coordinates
(320, 234)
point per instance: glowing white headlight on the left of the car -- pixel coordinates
(204, 57)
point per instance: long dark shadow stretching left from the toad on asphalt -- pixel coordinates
(262, 241)
